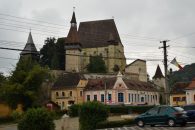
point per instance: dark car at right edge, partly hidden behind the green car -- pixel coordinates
(190, 109)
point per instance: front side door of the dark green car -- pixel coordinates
(151, 116)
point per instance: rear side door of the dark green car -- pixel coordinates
(162, 115)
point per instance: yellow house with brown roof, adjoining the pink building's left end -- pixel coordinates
(68, 90)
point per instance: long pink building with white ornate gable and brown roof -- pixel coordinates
(119, 90)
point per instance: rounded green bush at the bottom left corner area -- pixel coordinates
(36, 119)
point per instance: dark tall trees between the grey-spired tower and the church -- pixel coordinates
(53, 54)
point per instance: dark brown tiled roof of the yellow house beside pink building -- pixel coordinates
(67, 80)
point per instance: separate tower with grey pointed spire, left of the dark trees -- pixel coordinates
(30, 49)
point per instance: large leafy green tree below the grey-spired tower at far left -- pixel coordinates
(24, 84)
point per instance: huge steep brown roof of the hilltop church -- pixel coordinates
(97, 33)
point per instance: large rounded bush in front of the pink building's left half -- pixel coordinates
(90, 114)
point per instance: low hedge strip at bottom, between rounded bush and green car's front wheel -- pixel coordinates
(113, 124)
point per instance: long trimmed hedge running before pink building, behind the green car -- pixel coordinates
(129, 109)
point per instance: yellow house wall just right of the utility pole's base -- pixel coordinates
(177, 103)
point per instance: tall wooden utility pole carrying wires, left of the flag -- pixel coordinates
(167, 92)
